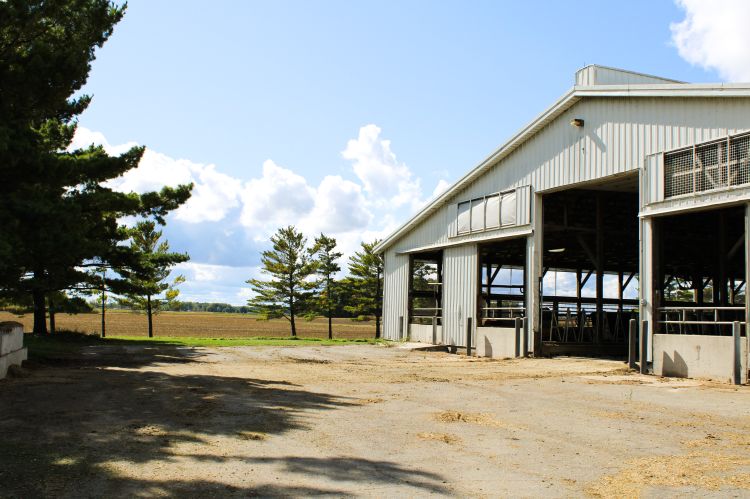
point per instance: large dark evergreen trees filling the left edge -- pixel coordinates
(60, 223)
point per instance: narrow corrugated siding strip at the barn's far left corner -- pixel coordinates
(395, 293)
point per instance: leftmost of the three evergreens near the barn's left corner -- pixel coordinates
(286, 293)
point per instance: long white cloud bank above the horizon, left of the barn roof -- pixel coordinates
(228, 220)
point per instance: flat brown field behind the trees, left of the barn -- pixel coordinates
(201, 325)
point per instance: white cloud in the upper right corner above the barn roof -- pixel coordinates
(715, 36)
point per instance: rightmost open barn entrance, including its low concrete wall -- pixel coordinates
(699, 294)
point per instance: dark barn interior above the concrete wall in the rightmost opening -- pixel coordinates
(699, 271)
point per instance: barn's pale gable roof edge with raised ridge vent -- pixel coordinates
(564, 103)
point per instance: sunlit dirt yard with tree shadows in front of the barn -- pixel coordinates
(363, 420)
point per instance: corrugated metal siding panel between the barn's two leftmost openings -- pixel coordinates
(460, 276)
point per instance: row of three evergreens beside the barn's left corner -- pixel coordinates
(301, 279)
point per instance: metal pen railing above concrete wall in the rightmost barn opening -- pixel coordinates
(705, 320)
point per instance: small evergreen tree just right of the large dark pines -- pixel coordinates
(147, 278)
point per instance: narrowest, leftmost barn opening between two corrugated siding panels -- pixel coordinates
(426, 297)
